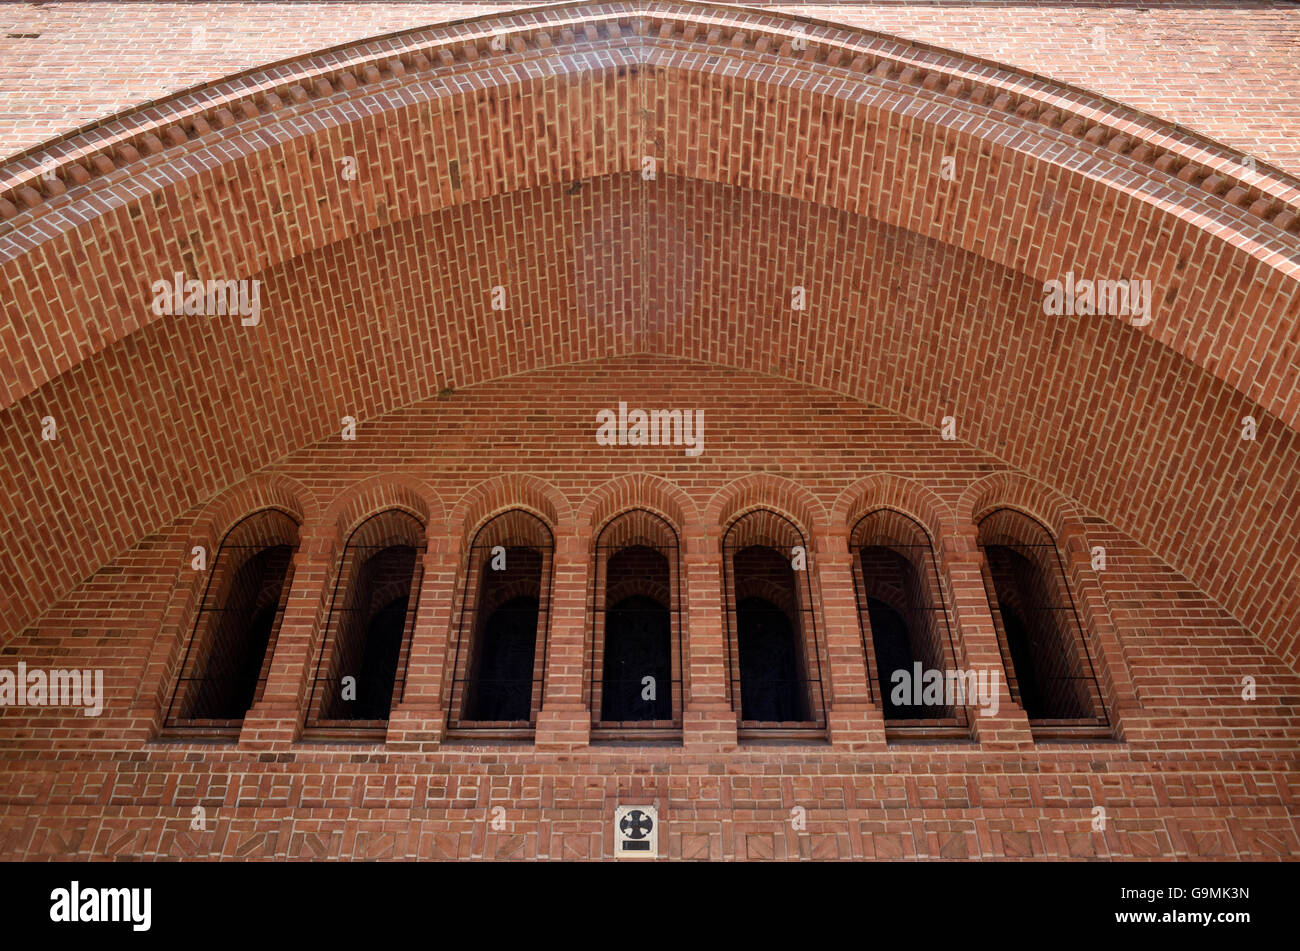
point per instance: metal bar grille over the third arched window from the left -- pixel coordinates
(518, 532)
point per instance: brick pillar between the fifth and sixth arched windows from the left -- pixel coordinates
(855, 722)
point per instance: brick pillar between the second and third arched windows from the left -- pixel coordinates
(419, 720)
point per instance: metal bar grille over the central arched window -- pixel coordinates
(621, 535)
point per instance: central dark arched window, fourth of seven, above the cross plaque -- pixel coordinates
(636, 650)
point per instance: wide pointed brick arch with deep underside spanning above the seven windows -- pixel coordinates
(1220, 257)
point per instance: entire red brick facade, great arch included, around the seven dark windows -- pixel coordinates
(924, 302)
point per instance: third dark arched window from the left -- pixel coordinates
(501, 645)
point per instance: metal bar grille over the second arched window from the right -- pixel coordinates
(955, 723)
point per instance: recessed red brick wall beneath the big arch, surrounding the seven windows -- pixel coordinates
(1199, 771)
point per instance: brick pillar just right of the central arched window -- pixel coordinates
(709, 722)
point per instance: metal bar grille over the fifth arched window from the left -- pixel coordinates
(808, 639)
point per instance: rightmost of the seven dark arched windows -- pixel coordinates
(1045, 652)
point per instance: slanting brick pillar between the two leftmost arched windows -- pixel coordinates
(276, 720)
